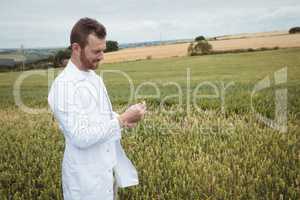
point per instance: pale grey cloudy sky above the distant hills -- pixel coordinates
(48, 23)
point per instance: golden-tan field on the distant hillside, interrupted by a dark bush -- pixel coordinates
(241, 41)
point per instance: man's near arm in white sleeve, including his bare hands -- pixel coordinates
(74, 119)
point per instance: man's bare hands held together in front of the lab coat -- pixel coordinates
(132, 115)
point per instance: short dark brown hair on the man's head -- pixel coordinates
(83, 28)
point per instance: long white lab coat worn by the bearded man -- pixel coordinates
(80, 103)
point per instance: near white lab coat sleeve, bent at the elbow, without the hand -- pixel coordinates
(76, 125)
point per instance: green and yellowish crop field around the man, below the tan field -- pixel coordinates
(180, 151)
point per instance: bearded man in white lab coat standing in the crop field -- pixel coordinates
(93, 157)
